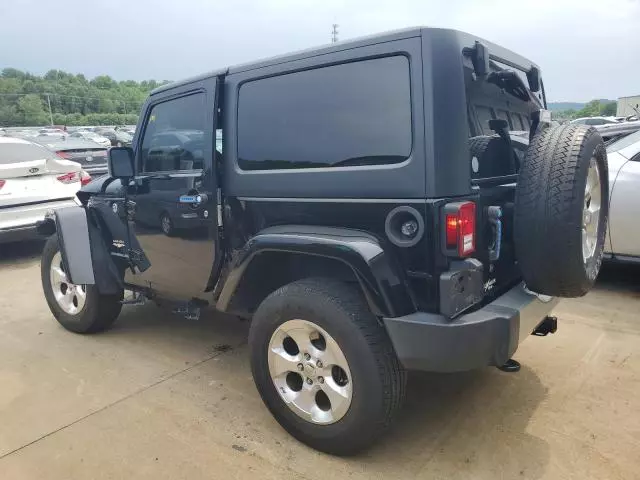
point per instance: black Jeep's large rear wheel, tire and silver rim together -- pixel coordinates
(324, 366)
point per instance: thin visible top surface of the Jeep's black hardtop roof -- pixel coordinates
(437, 35)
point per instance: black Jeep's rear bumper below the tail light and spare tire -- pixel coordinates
(488, 336)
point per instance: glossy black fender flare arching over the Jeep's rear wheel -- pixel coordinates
(380, 277)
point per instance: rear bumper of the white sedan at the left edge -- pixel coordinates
(19, 222)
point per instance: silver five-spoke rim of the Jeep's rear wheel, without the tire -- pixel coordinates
(310, 372)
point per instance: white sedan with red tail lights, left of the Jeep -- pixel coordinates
(33, 180)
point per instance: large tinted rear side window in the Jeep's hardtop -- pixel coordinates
(343, 115)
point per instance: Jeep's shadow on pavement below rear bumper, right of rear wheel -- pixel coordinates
(467, 425)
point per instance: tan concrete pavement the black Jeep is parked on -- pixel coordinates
(160, 397)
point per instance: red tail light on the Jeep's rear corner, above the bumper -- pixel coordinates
(460, 229)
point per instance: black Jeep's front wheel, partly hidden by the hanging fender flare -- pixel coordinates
(78, 308)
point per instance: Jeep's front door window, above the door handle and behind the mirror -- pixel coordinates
(173, 136)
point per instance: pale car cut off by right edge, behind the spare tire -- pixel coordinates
(623, 241)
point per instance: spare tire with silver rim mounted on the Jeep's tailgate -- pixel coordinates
(562, 208)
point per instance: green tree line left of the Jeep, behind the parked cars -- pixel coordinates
(62, 98)
